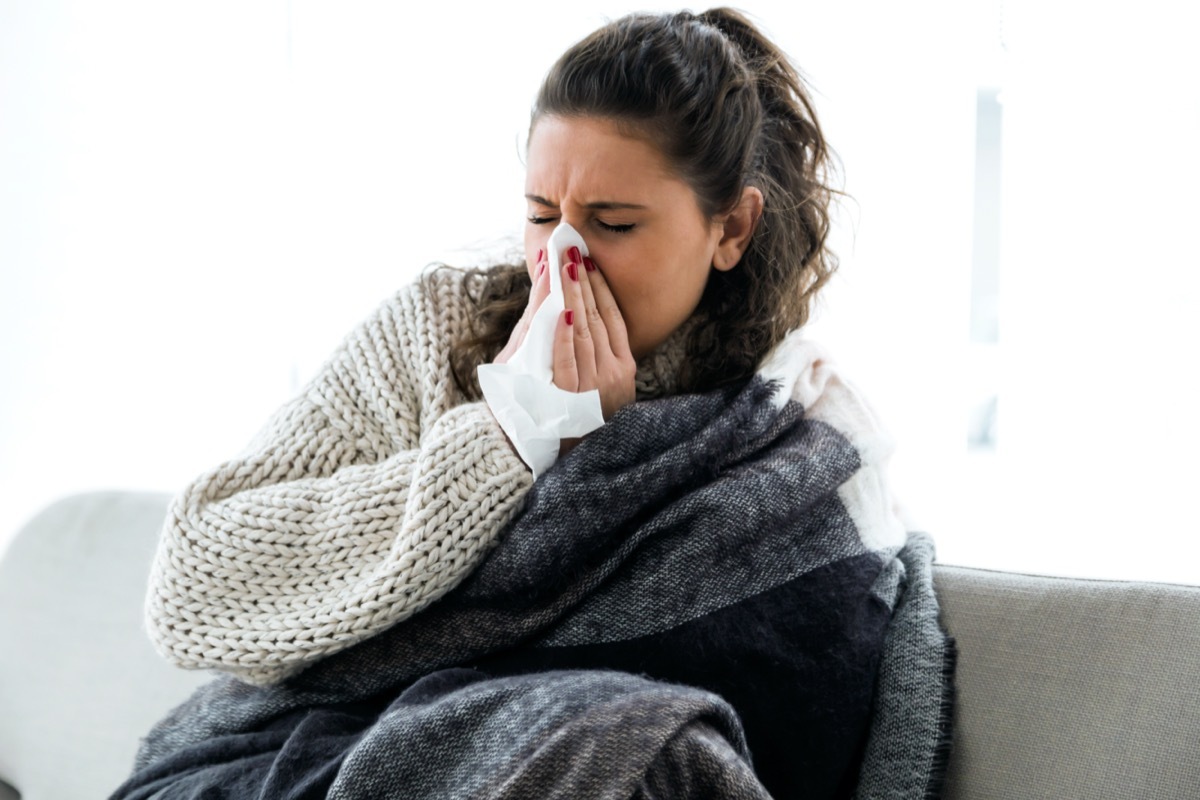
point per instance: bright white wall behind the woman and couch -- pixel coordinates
(199, 200)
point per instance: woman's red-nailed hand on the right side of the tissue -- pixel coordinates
(591, 344)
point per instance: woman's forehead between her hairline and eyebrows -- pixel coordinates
(589, 158)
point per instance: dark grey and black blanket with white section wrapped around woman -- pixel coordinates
(700, 601)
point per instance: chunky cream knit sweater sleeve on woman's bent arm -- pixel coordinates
(361, 503)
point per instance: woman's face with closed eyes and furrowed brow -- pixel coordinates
(644, 226)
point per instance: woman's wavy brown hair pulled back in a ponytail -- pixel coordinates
(729, 111)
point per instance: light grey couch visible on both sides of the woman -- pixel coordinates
(1066, 689)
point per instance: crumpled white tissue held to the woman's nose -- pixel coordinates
(535, 413)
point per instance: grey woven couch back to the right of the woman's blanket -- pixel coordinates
(1073, 689)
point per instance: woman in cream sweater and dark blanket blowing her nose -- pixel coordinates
(718, 561)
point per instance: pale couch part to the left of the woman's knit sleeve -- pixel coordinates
(80, 682)
